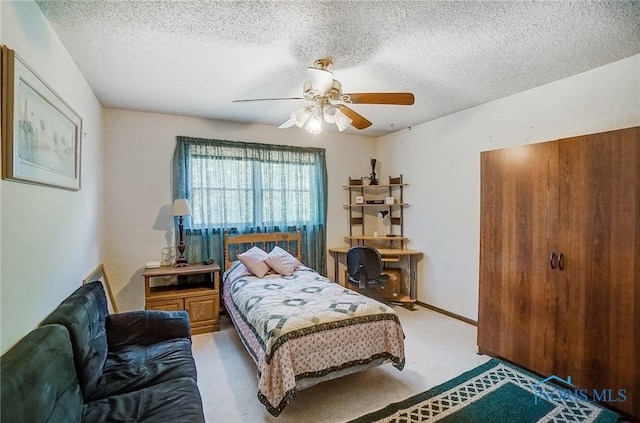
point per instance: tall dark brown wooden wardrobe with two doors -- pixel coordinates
(560, 260)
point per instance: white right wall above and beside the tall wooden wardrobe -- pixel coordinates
(441, 162)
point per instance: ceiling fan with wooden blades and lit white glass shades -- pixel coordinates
(329, 103)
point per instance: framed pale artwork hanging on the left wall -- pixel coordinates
(41, 133)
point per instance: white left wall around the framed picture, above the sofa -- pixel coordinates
(50, 238)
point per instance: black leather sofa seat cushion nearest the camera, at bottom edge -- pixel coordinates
(172, 401)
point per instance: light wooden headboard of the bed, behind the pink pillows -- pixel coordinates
(237, 244)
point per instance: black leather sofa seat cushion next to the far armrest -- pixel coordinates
(132, 367)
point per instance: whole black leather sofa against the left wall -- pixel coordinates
(83, 364)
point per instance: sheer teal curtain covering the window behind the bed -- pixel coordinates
(247, 187)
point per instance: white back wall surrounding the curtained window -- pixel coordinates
(138, 192)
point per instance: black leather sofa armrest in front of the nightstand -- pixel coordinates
(146, 327)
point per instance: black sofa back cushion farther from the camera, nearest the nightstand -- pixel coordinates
(83, 313)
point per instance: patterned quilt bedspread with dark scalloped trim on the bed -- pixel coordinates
(303, 327)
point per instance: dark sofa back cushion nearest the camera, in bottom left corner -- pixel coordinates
(39, 382)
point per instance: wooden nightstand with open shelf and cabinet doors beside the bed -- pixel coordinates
(201, 300)
